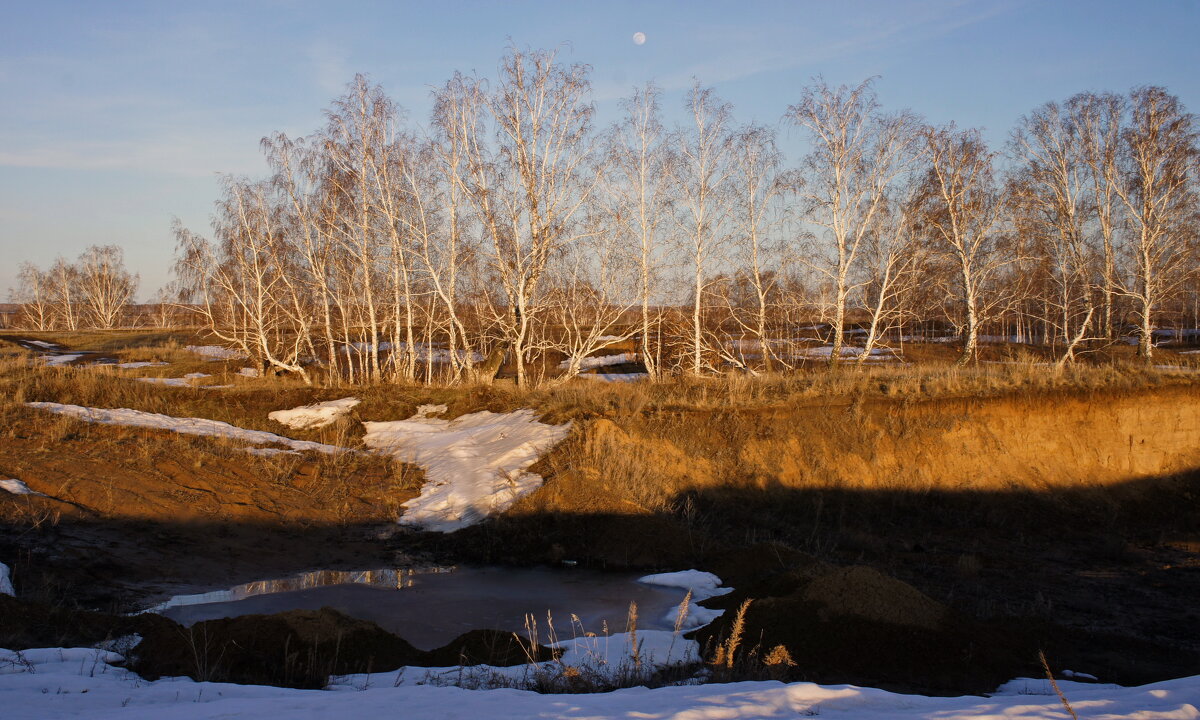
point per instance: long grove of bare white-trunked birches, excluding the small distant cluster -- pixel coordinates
(512, 226)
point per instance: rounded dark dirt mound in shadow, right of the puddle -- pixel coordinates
(857, 626)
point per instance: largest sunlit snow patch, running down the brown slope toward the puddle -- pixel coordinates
(475, 465)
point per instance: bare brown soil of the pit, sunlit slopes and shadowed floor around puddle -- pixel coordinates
(1067, 523)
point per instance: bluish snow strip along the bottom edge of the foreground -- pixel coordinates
(47, 685)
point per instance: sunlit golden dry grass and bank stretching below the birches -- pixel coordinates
(645, 449)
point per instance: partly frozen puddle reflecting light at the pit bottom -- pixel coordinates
(431, 608)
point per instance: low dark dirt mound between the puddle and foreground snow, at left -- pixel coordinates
(291, 650)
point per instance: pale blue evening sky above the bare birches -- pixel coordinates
(117, 117)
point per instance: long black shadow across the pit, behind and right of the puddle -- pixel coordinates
(1101, 575)
